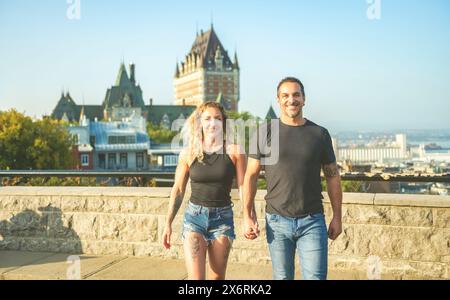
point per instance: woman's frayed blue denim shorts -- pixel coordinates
(210, 222)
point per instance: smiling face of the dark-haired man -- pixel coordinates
(290, 99)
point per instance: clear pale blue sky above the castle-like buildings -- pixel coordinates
(358, 73)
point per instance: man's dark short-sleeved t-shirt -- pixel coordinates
(293, 182)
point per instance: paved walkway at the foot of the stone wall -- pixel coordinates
(18, 265)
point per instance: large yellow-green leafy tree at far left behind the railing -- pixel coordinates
(33, 144)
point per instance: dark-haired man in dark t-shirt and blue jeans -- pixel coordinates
(294, 210)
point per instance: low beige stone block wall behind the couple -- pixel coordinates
(401, 236)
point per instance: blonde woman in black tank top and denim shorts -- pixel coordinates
(211, 164)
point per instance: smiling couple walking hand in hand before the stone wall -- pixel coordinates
(294, 211)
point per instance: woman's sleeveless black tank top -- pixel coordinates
(211, 180)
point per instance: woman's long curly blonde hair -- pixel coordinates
(194, 131)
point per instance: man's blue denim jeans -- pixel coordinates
(308, 235)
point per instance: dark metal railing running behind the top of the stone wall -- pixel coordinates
(169, 176)
